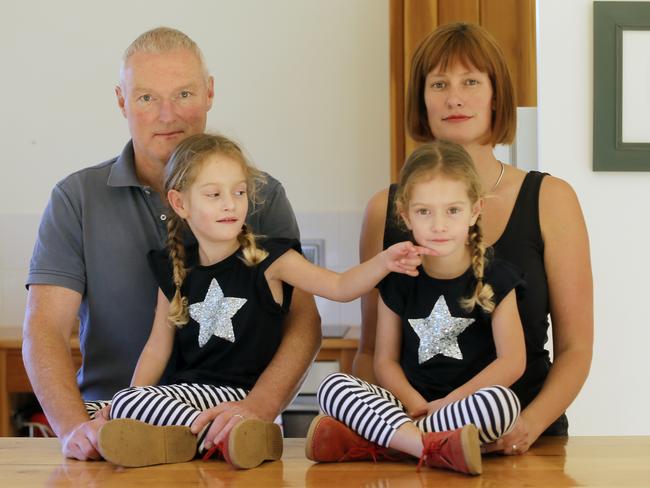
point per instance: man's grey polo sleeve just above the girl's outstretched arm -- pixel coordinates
(273, 216)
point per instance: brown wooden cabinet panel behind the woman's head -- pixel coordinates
(511, 22)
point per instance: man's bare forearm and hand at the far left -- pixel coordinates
(50, 317)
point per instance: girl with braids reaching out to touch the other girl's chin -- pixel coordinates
(223, 295)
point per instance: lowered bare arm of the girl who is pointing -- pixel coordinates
(158, 349)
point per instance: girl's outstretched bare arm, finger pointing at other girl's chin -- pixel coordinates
(294, 269)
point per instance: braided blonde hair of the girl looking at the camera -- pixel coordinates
(452, 161)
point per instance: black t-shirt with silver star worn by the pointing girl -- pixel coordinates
(235, 324)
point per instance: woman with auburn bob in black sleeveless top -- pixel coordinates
(460, 90)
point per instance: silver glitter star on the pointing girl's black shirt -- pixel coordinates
(214, 314)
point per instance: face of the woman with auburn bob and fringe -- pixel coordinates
(459, 104)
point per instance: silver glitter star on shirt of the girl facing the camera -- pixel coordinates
(439, 332)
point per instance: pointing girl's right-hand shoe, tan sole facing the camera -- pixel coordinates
(249, 444)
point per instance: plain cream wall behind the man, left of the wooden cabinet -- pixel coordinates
(303, 84)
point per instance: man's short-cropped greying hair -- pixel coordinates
(160, 40)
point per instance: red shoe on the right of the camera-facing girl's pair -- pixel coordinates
(458, 450)
